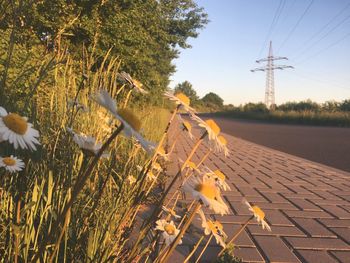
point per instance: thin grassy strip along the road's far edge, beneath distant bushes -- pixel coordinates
(339, 119)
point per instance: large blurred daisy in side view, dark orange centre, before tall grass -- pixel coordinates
(131, 122)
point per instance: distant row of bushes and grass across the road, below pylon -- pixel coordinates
(330, 113)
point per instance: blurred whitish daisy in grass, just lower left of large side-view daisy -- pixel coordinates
(87, 143)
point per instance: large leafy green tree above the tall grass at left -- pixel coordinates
(145, 35)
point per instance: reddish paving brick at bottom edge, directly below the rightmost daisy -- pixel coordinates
(275, 250)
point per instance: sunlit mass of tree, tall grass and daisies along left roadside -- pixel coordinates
(84, 144)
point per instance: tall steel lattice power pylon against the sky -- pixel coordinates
(270, 82)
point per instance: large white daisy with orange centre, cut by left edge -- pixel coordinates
(15, 129)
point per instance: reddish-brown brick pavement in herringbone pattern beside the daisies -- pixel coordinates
(307, 205)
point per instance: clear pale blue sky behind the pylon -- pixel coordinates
(313, 34)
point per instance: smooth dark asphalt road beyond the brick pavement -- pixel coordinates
(326, 145)
